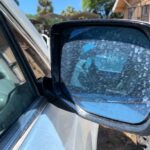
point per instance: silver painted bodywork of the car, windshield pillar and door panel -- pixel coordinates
(53, 128)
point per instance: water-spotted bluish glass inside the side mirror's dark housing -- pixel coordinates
(106, 70)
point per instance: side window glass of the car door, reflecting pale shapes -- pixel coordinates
(16, 93)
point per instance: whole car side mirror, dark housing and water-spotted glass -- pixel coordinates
(102, 69)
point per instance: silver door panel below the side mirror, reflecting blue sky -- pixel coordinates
(60, 129)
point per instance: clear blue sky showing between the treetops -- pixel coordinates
(30, 6)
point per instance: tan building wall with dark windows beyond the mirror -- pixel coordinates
(138, 10)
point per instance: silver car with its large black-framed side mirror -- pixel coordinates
(97, 73)
